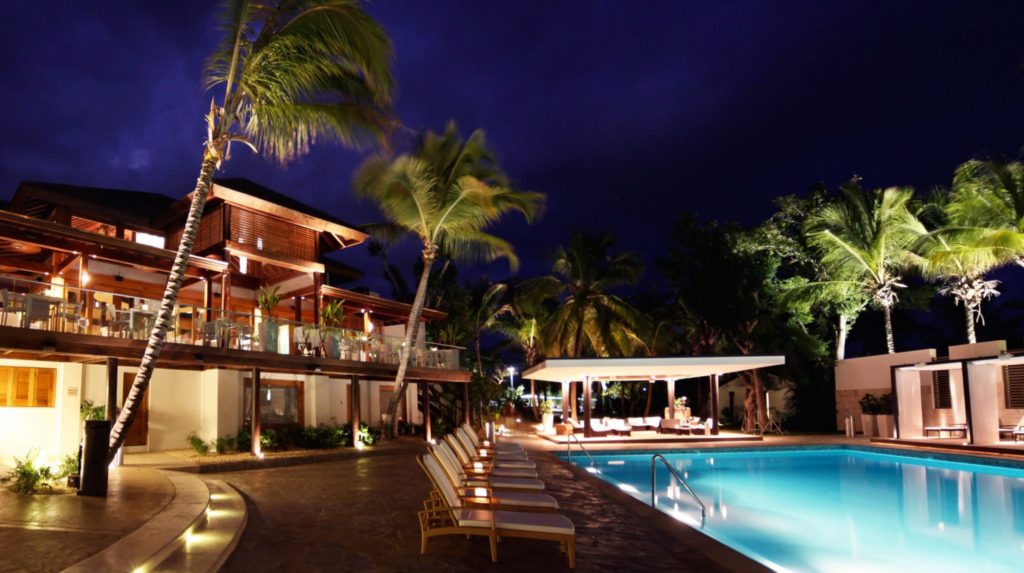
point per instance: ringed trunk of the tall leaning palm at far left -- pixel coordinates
(165, 318)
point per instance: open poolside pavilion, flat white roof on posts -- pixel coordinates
(569, 371)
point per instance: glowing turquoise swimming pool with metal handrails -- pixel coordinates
(841, 510)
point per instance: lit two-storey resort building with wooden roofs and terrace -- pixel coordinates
(82, 273)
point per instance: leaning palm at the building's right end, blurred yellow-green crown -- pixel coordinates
(446, 193)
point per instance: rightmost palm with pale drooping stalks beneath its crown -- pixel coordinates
(964, 249)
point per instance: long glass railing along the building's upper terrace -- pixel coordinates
(32, 304)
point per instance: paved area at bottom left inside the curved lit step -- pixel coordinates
(51, 533)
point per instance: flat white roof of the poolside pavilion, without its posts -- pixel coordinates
(674, 368)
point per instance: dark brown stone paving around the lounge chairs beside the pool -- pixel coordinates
(361, 516)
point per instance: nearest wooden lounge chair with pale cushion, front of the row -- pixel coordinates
(448, 516)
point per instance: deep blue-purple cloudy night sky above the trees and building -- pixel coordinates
(623, 113)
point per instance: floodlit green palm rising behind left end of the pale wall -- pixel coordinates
(864, 240)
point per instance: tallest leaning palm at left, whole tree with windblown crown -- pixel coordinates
(293, 72)
